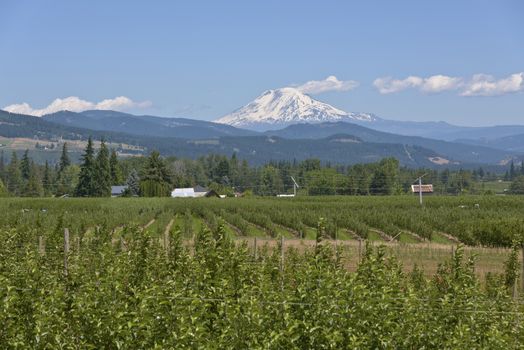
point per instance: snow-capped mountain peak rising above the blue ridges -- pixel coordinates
(286, 106)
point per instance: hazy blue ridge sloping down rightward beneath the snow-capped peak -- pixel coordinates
(454, 151)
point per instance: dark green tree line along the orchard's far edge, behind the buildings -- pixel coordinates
(156, 176)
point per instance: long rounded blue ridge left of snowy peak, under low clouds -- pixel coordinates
(145, 125)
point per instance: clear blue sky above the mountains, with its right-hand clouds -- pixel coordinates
(458, 61)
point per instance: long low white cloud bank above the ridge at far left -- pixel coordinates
(75, 104)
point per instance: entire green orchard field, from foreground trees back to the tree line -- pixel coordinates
(370, 272)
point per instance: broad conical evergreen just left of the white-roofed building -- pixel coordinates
(156, 179)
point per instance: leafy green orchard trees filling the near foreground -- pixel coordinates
(216, 294)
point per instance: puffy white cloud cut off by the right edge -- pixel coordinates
(486, 85)
